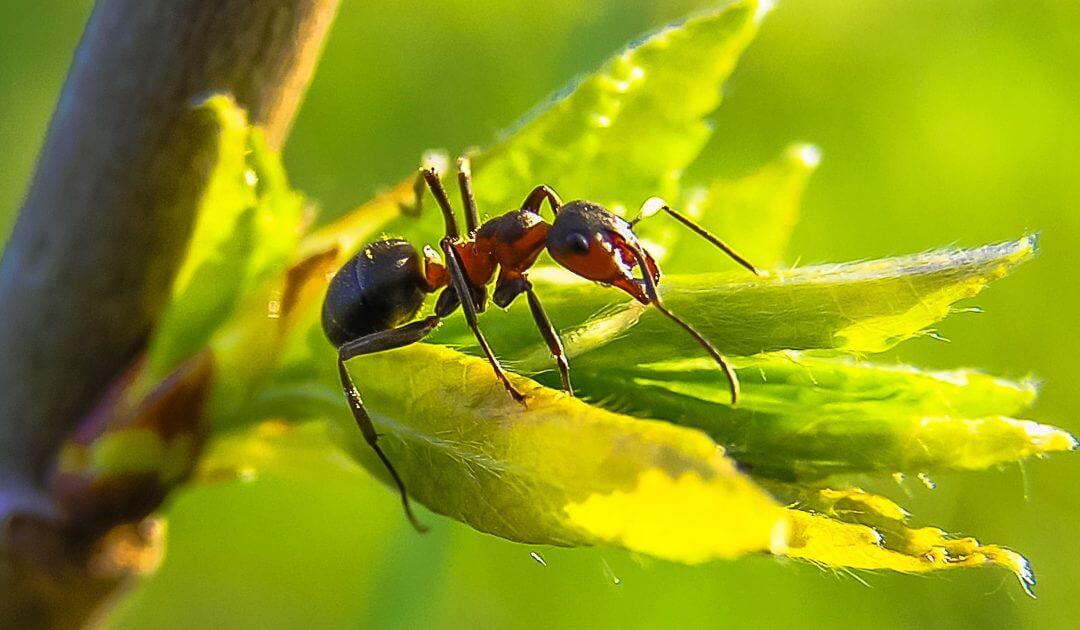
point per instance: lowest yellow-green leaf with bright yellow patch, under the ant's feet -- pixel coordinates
(563, 473)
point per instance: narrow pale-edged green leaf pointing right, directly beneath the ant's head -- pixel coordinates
(856, 307)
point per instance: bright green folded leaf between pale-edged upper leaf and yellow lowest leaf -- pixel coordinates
(808, 418)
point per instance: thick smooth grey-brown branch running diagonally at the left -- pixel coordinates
(111, 209)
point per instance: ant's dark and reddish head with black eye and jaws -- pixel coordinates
(597, 245)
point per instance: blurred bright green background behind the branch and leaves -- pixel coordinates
(940, 122)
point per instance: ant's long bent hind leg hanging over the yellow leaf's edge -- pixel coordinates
(367, 345)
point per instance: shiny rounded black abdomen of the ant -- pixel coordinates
(381, 288)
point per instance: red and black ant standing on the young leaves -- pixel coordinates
(373, 301)
